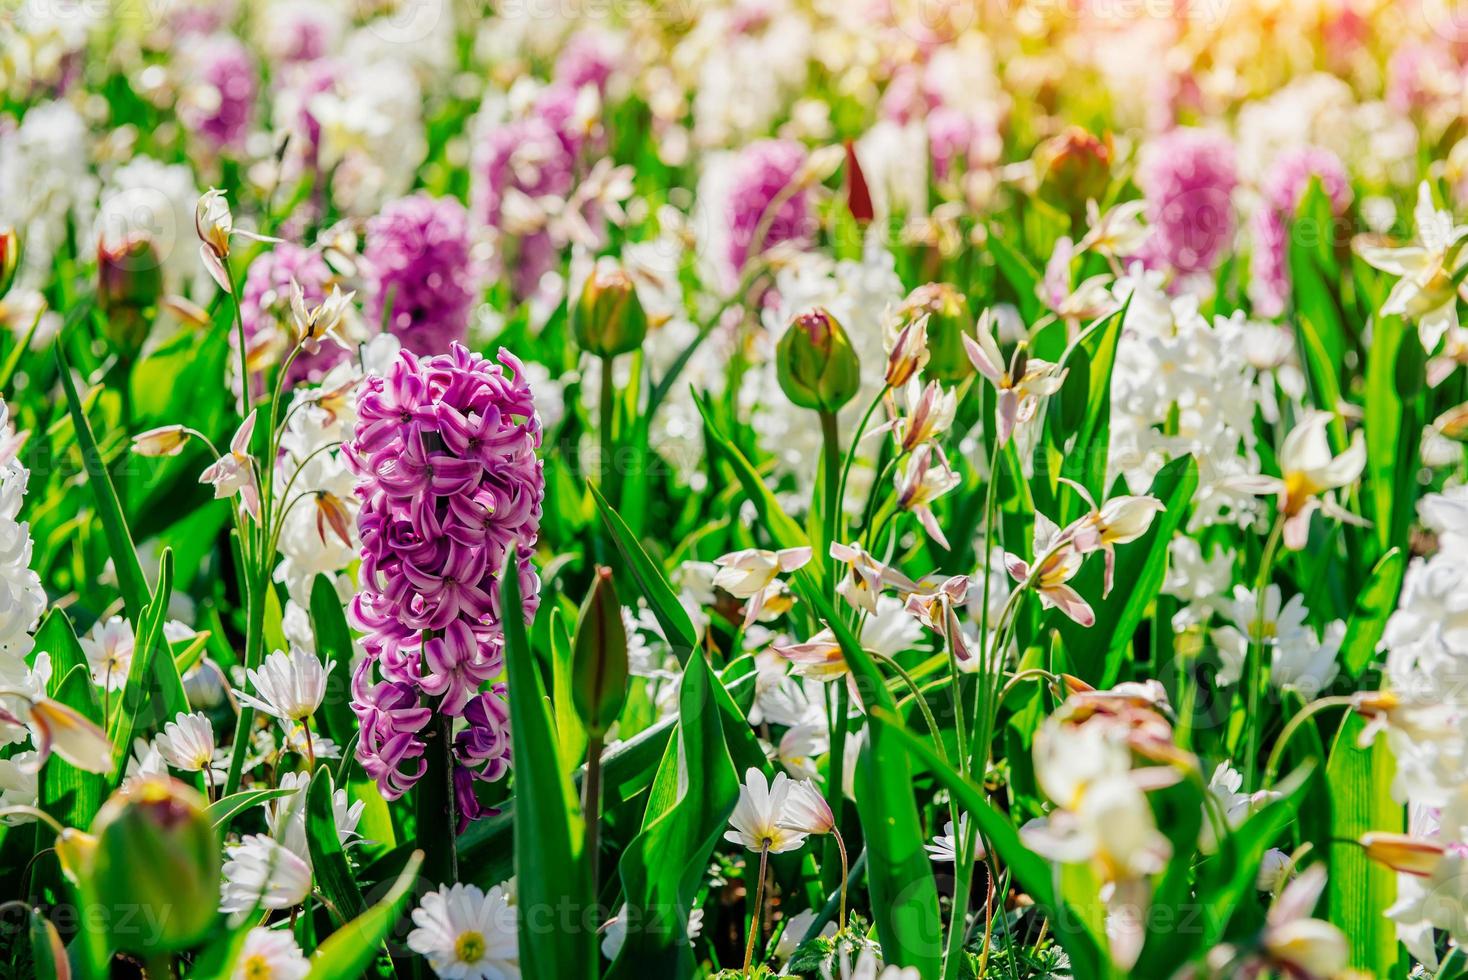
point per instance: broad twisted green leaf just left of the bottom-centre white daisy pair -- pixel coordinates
(663, 868)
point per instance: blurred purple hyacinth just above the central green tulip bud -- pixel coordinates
(763, 174)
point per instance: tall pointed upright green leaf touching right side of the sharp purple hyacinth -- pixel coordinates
(551, 869)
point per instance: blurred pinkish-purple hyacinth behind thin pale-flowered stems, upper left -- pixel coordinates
(265, 307)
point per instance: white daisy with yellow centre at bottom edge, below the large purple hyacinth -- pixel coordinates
(468, 934)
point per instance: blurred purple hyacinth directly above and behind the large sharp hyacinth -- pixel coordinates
(421, 266)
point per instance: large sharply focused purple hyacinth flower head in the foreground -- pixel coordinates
(451, 491)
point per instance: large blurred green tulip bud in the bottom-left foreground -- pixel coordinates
(158, 852)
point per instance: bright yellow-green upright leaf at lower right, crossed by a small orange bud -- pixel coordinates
(1360, 890)
